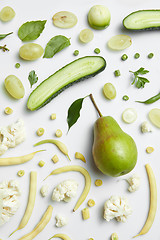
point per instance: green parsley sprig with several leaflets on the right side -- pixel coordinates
(140, 81)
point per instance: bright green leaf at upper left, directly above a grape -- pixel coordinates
(31, 30)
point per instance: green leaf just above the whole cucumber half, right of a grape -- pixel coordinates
(55, 45)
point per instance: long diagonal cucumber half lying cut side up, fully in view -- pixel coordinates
(75, 71)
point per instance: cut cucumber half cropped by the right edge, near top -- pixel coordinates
(143, 20)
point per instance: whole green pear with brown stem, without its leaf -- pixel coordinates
(114, 151)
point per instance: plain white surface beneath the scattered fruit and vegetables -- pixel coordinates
(80, 137)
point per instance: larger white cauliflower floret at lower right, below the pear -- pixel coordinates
(117, 207)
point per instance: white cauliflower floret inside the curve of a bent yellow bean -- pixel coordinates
(65, 191)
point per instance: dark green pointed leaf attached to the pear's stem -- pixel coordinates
(74, 112)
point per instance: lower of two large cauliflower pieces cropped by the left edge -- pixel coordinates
(9, 200)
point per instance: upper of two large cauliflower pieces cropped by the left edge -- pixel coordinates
(11, 135)
